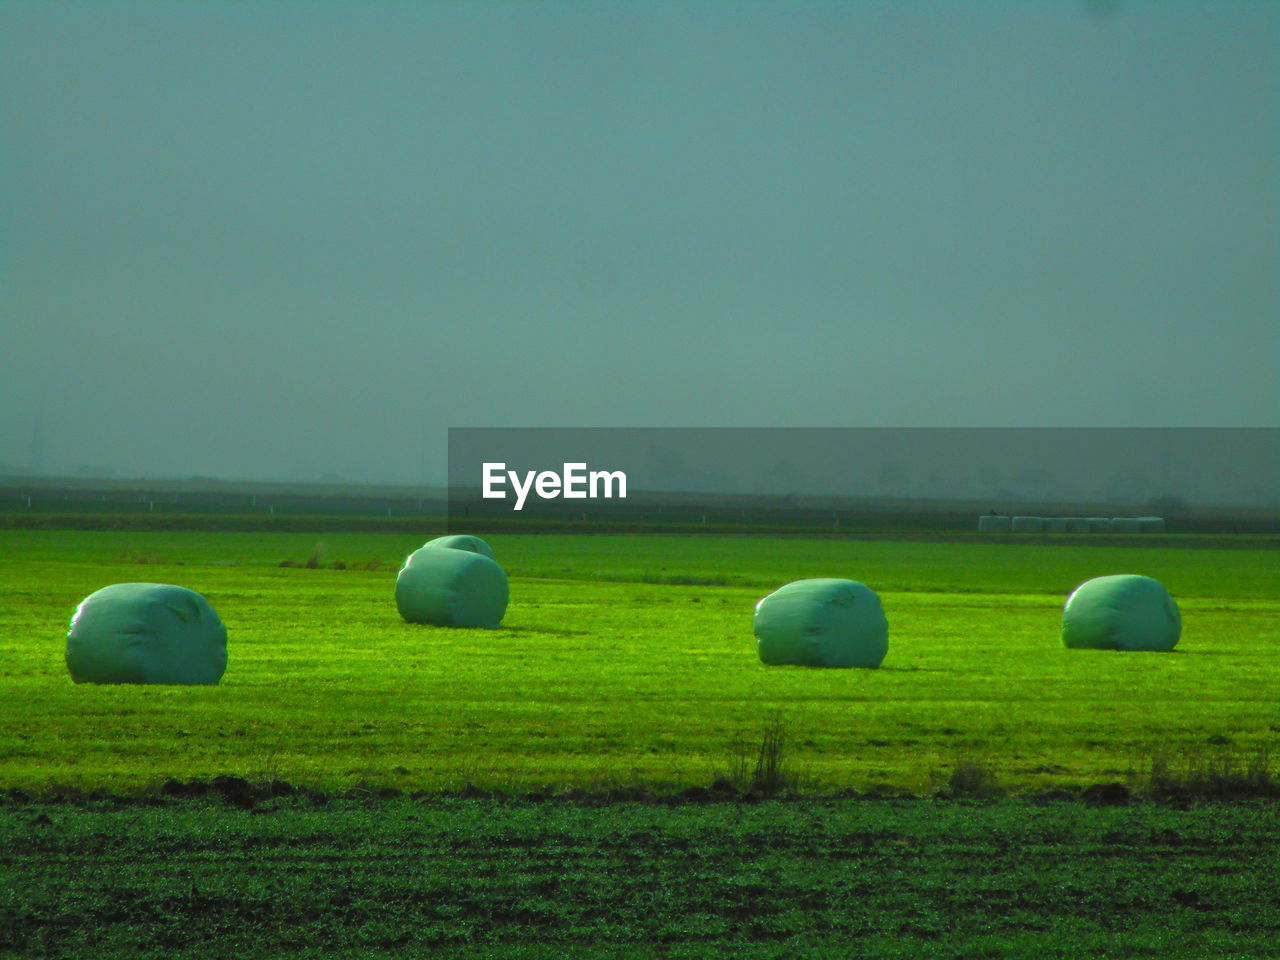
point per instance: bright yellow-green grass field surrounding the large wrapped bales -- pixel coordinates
(629, 661)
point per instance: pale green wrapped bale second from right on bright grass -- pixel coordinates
(822, 624)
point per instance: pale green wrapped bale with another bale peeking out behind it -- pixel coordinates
(451, 588)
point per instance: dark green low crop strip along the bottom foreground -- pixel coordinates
(474, 879)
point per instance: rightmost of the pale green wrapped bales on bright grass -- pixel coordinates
(1123, 612)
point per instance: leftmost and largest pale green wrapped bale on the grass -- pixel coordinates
(147, 634)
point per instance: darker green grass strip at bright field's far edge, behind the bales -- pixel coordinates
(707, 561)
